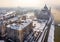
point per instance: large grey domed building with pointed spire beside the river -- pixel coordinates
(44, 13)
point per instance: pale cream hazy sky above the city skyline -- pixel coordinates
(28, 3)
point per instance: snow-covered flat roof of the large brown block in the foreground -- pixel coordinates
(19, 26)
